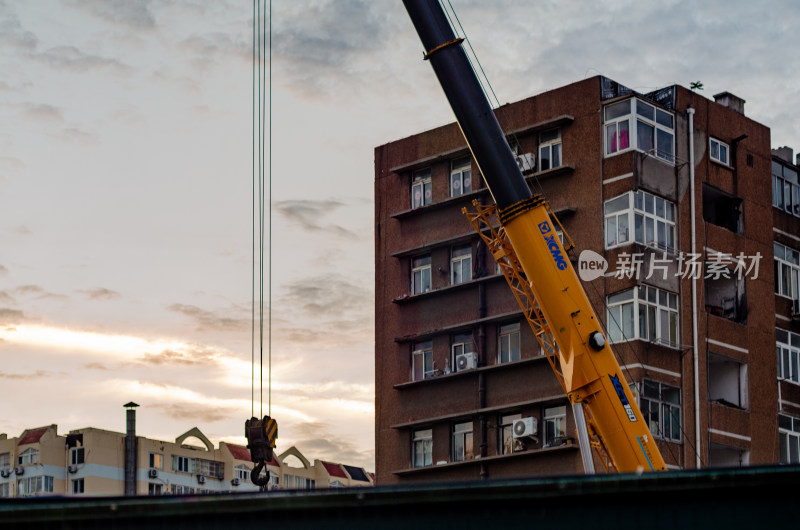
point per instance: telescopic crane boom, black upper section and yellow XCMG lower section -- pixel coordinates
(589, 372)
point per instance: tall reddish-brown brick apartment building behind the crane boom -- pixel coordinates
(456, 364)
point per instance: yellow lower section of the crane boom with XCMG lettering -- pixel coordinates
(589, 376)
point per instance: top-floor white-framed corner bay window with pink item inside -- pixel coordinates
(654, 129)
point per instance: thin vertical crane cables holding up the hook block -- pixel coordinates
(261, 200)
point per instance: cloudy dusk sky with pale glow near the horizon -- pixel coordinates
(126, 181)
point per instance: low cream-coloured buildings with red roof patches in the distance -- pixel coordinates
(91, 461)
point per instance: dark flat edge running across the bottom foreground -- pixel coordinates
(709, 499)
